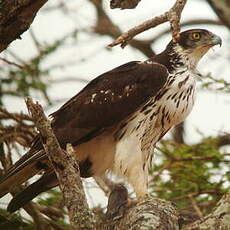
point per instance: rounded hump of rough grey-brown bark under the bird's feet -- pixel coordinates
(154, 214)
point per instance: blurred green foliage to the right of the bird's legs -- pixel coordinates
(195, 174)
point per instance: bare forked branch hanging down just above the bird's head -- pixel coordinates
(173, 16)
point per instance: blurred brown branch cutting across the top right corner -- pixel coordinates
(222, 9)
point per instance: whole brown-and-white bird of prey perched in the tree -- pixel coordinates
(114, 122)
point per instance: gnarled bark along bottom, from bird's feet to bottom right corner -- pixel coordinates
(157, 214)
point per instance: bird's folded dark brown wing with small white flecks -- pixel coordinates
(107, 100)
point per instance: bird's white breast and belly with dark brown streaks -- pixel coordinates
(135, 145)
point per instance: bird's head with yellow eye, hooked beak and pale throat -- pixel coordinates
(194, 44)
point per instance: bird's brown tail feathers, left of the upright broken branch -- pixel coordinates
(30, 164)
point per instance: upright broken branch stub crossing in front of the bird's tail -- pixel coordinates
(66, 168)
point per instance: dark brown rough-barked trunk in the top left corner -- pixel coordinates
(15, 18)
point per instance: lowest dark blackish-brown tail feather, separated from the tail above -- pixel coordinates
(46, 182)
